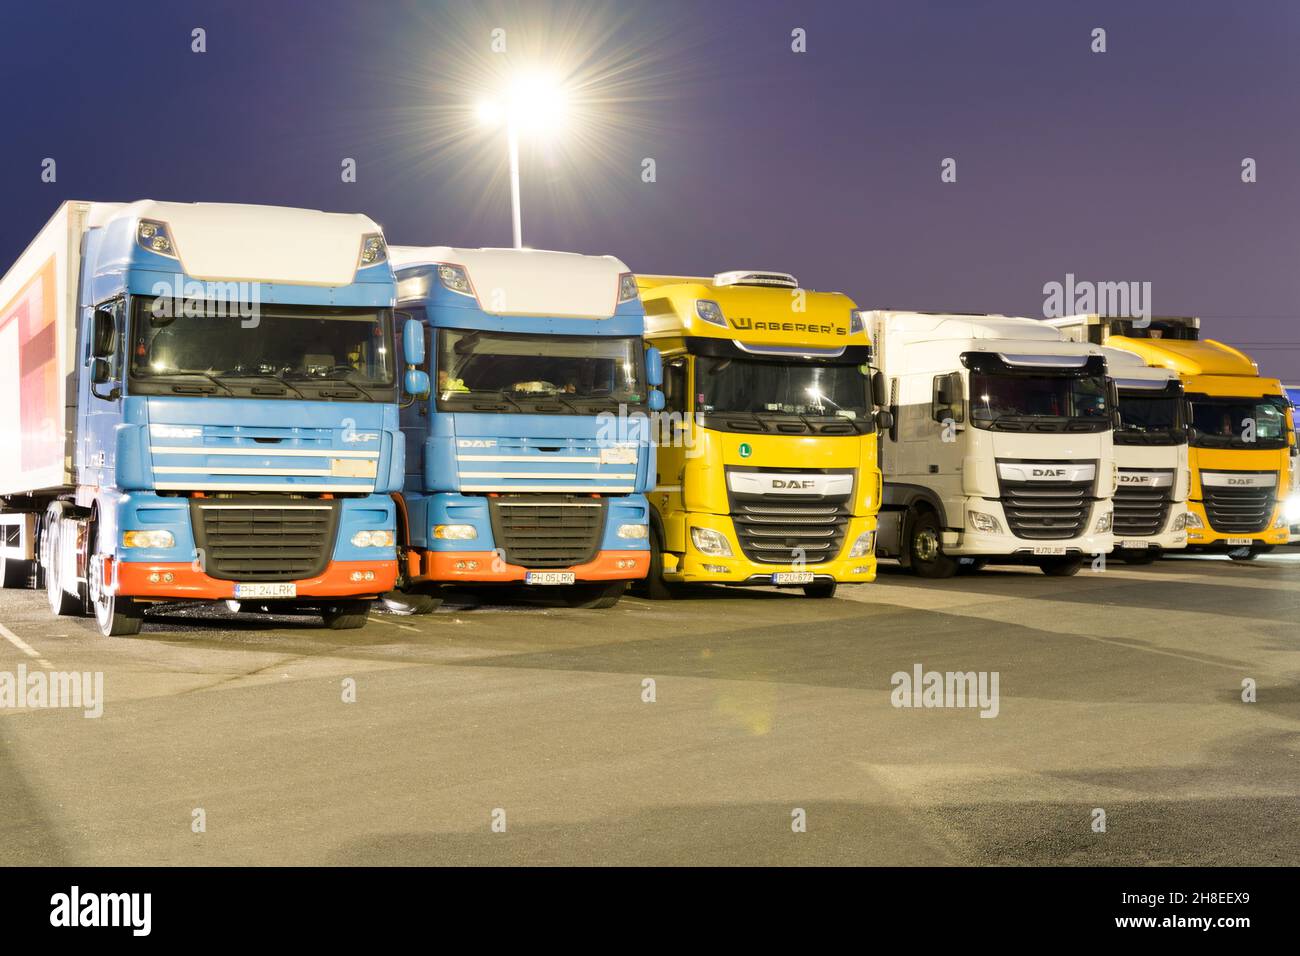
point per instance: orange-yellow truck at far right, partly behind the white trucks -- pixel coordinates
(1242, 447)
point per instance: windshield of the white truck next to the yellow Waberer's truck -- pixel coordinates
(1039, 401)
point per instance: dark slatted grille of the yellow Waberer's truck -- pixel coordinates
(778, 530)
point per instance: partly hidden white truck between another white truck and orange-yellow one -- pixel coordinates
(1151, 457)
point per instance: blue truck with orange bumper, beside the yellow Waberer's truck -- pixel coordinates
(530, 462)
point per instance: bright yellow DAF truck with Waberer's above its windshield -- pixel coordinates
(768, 471)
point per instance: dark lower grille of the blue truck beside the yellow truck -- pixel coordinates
(548, 531)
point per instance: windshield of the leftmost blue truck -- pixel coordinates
(309, 351)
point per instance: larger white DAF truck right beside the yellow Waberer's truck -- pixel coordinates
(1002, 448)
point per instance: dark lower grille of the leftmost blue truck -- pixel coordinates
(249, 540)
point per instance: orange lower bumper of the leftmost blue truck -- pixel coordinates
(136, 579)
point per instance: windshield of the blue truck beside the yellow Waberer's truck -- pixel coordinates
(508, 371)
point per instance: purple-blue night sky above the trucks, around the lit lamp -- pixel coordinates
(1124, 166)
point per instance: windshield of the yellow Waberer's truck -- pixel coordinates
(731, 386)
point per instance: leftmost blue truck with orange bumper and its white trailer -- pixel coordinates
(207, 410)
